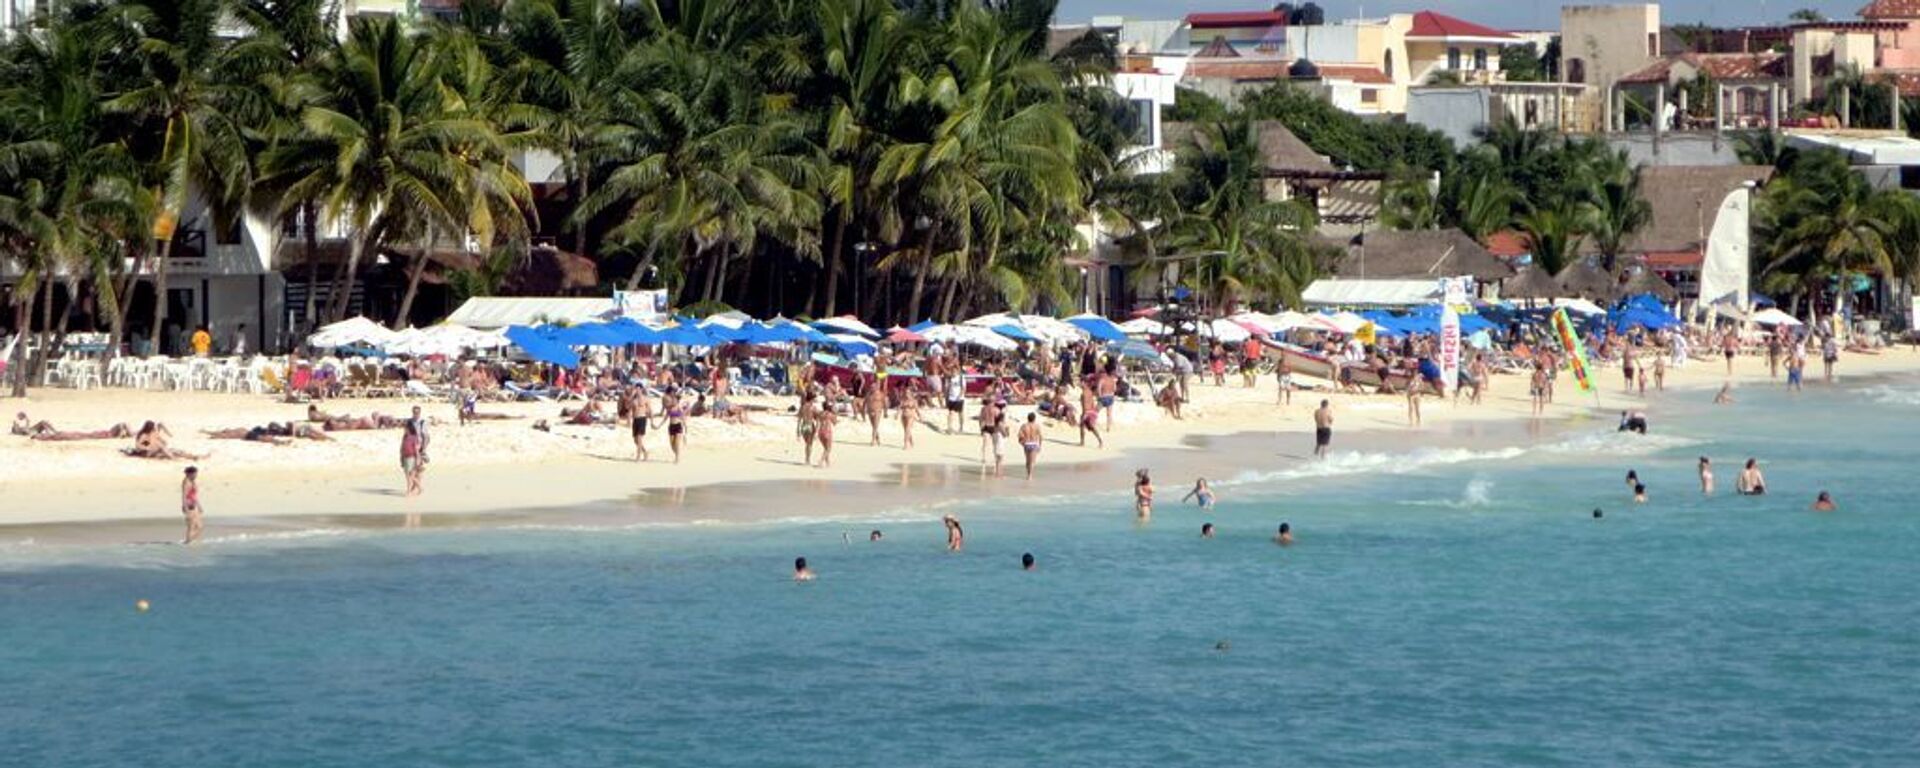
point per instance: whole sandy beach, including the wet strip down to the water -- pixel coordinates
(731, 475)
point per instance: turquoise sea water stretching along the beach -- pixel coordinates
(1443, 608)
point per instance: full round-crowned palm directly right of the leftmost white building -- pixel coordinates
(379, 145)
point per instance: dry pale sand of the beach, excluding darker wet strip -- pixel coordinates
(508, 466)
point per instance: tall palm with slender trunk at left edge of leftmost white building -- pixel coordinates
(197, 147)
